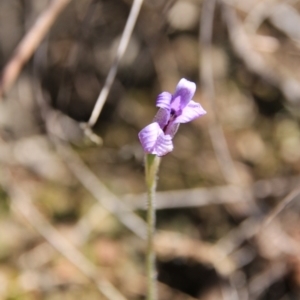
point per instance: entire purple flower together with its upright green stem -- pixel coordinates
(157, 140)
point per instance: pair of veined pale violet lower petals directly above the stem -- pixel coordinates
(154, 140)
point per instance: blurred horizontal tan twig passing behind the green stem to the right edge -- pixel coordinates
(274, 187)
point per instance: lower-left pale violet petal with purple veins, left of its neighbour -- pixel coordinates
(148, 136)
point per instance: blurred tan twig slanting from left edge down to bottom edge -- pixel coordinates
(22, 203)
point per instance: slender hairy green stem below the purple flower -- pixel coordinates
(151, 167)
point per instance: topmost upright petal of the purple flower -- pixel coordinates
(185, 90)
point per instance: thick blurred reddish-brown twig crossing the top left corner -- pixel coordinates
(29, 43)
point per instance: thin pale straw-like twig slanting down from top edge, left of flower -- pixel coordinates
(134, 12)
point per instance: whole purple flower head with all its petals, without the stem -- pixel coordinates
(156, 138)
